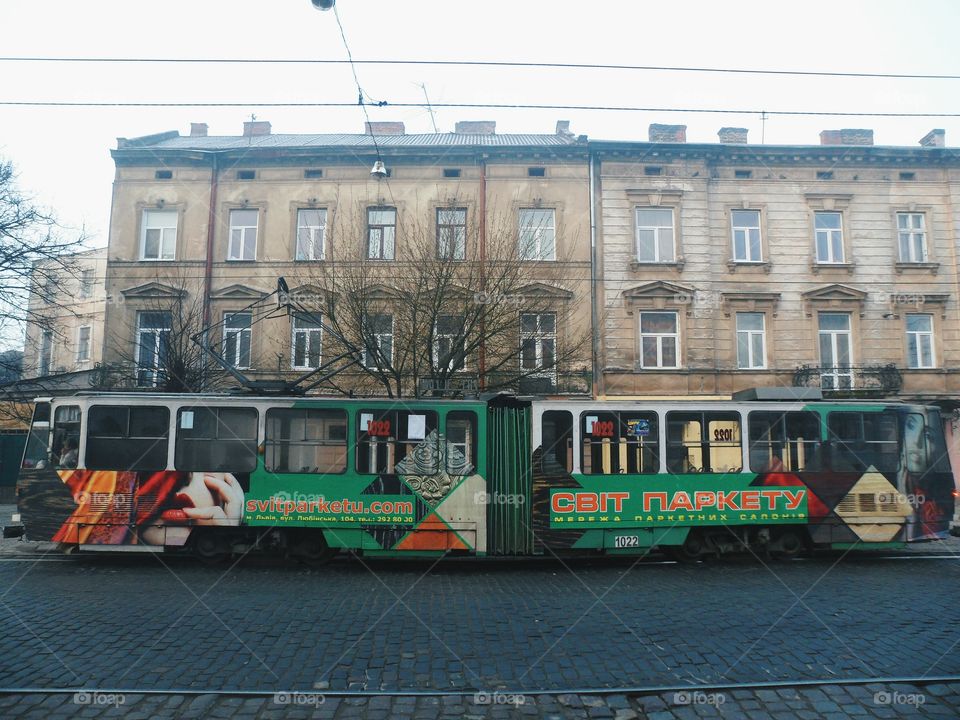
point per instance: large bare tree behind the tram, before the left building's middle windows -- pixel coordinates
(452, 303)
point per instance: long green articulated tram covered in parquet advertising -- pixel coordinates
(311, 476)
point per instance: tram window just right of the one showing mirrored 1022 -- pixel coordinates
(784, 441)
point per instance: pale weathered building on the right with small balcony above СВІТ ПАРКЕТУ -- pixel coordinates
(728, 266)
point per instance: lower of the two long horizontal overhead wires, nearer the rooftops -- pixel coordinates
(497, 106)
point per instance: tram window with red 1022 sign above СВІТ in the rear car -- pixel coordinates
(616, 443)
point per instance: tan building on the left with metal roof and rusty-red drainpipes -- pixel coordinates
(211, 223)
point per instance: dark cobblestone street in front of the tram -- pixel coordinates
(508, 630)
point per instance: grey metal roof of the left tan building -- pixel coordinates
(226, 142)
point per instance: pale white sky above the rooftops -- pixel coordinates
(63, 157)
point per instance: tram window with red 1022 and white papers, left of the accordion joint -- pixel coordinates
(397, 441)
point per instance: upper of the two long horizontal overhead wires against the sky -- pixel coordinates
(490, 63)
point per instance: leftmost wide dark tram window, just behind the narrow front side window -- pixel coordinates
(127, 437)
